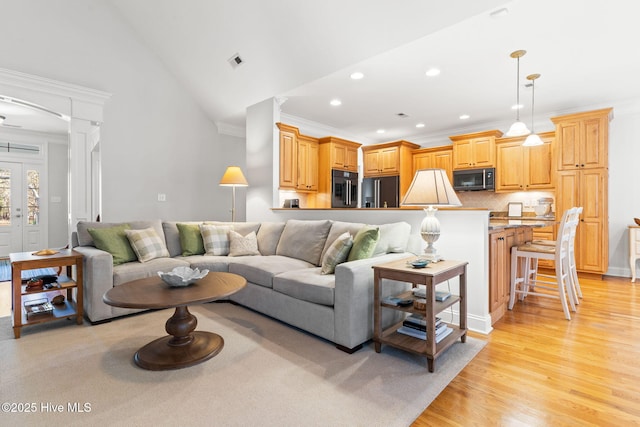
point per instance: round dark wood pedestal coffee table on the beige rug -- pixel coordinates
(183, 346)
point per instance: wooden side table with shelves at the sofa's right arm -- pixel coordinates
(432, 275)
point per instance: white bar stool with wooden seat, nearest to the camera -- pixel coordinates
(525, 278)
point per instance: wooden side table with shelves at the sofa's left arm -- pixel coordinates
(28, 261)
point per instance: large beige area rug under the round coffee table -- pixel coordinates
(267, 374)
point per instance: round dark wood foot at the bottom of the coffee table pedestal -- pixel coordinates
(159, 355)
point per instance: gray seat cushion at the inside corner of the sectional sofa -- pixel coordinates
(260, 270)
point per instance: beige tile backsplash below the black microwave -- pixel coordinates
(500, 201)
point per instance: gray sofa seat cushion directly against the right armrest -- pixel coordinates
(307, 285)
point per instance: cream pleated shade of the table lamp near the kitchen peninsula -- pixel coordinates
(431, 187)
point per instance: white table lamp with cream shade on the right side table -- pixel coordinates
(430, 188)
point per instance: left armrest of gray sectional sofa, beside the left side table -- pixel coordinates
(98, 279)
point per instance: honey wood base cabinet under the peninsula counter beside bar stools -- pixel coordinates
(500, 243)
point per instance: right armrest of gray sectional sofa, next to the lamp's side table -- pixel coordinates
(353, 303)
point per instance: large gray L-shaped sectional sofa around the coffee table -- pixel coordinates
(284, 280)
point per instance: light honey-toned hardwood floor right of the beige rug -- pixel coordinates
(539, 369)
